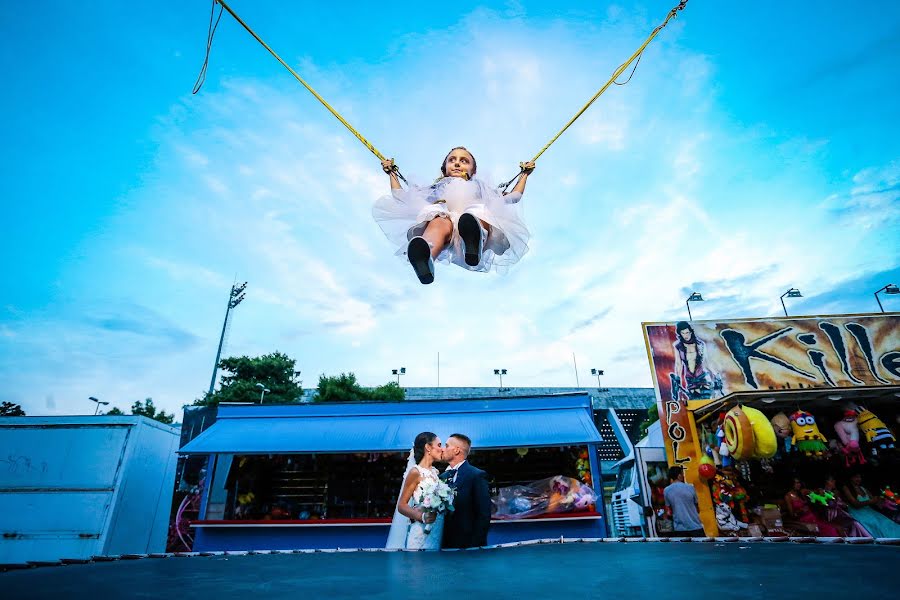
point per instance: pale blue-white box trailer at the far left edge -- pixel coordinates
(76, 487)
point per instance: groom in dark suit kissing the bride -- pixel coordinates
(466, 526)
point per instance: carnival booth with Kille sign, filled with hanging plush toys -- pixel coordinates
(786, 427)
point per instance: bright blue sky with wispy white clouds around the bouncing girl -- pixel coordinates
(755, 149)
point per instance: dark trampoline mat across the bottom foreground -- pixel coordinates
(591, 570)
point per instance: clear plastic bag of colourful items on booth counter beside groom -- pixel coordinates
(558, 494)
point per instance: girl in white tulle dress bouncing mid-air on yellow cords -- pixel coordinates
(457, 219)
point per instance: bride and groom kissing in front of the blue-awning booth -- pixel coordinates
(441, 510)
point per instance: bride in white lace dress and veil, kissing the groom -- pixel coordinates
(408, 527)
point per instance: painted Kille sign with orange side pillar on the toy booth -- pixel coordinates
(703, 366)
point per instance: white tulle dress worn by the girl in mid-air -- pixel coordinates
(405, 213)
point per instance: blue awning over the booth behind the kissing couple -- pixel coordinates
(557, 421)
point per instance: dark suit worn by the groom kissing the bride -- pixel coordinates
(467, 525)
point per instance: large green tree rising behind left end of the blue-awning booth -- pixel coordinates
(276, 371)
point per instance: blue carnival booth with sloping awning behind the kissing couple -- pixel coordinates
(328, 475)
